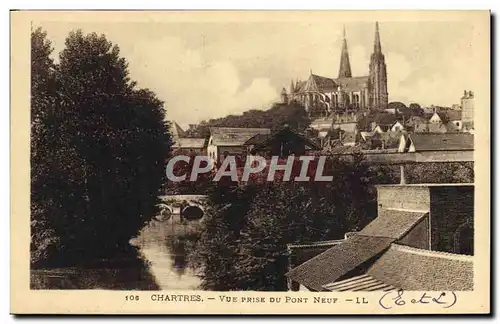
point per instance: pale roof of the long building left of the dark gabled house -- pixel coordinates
(230, 136)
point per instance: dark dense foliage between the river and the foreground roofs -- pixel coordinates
(243, 242)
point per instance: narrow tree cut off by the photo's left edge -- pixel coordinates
(43, 137)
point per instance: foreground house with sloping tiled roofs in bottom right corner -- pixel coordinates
(422, 240)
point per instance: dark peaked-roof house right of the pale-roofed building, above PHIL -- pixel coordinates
(283, 143)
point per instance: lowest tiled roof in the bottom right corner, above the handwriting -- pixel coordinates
(415, 269)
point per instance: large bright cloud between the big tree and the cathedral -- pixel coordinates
(193, 87)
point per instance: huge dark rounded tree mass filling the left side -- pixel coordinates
(100, 156)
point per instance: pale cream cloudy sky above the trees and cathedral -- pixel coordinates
(210, 69)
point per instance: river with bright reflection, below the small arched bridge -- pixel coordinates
(157, 261)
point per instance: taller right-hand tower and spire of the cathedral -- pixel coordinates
(378, 96)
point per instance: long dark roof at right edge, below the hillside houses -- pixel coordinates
(442, 142)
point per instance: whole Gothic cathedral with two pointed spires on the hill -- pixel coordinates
(345, 95)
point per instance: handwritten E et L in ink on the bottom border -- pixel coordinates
(393, 299)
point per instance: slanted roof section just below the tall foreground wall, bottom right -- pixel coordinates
(392, 223)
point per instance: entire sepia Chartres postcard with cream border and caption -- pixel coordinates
(250, 162)
